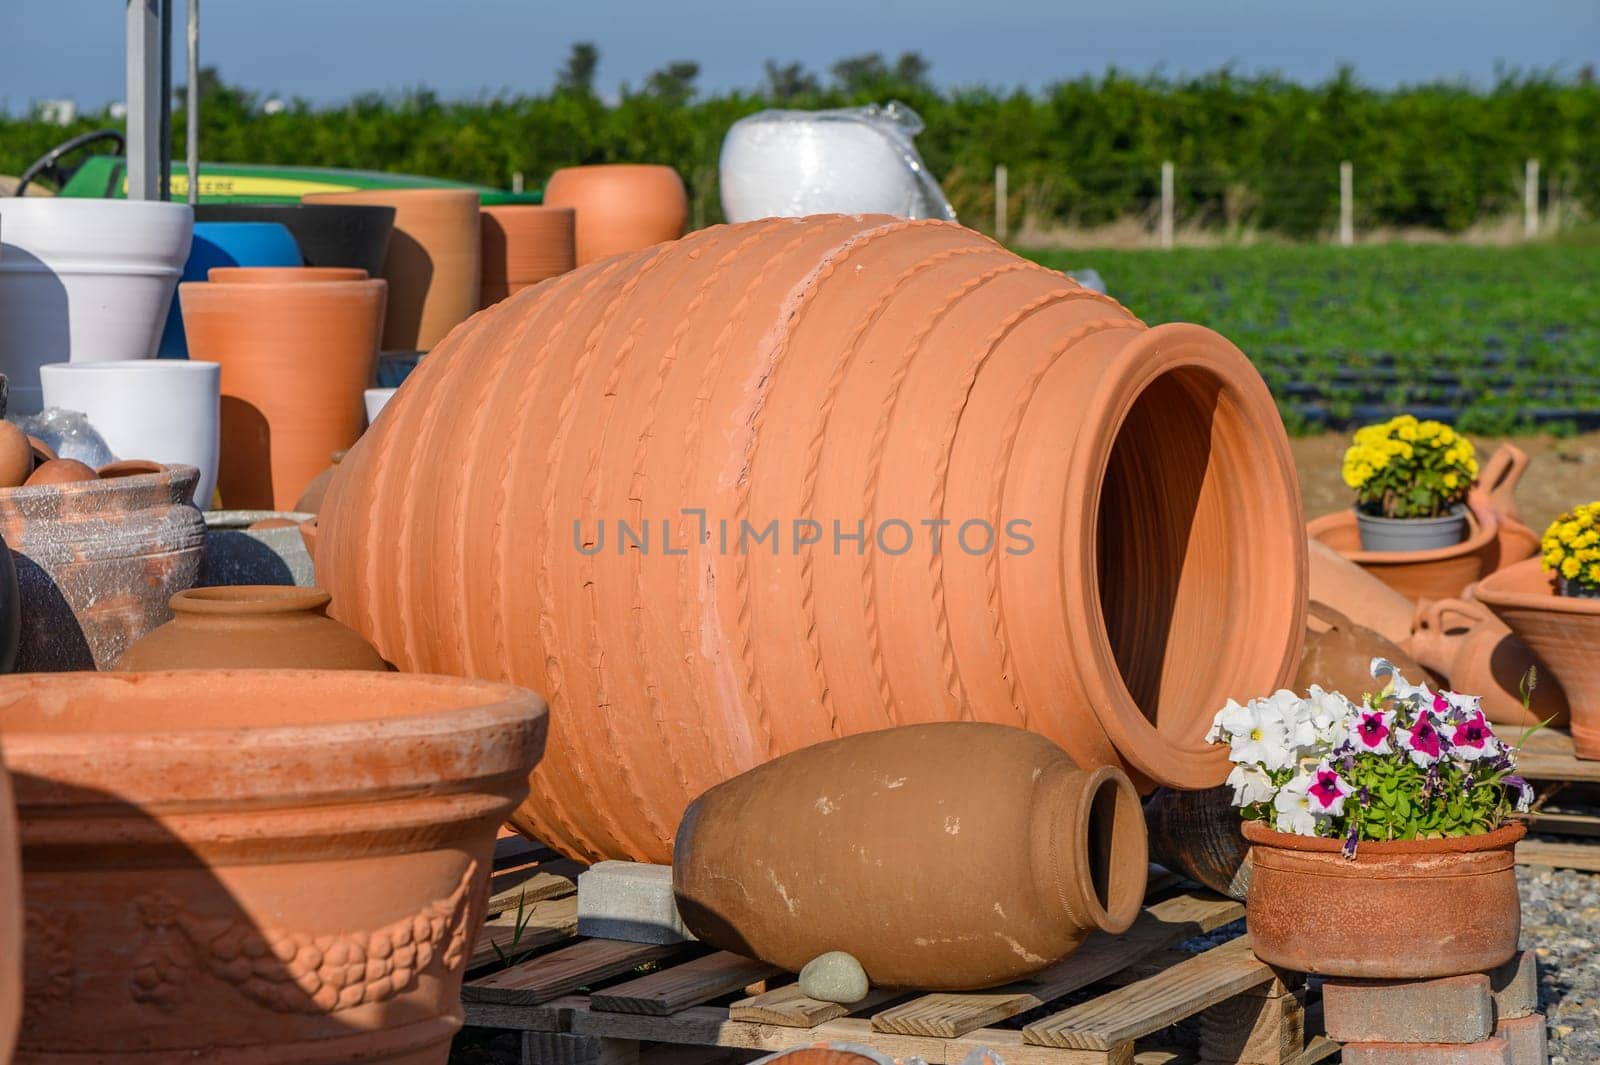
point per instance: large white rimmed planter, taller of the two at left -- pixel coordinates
(84, 281)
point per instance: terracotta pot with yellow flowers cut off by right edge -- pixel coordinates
(1564, 634)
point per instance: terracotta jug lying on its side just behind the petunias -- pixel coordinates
(1465, 642)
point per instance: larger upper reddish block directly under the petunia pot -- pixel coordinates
(1452, 1010)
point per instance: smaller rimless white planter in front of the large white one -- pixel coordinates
(150, 409)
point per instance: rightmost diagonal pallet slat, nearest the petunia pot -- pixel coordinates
(1140, 1010)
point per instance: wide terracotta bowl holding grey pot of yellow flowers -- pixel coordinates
(1434, 575)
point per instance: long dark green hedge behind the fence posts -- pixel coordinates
(1250, 151)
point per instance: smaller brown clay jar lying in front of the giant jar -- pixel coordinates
(940, 856)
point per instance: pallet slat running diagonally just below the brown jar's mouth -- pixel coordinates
(1158, 928)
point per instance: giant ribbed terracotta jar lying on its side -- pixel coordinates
(1121, 546)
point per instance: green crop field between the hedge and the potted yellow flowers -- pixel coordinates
(1497, 340)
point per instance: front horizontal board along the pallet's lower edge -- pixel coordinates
(708, 1026)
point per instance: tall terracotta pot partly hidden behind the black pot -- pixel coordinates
(433, 265)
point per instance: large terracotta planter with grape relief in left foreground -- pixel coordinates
(298, 860)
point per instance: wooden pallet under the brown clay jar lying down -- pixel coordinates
(593, 1002)
